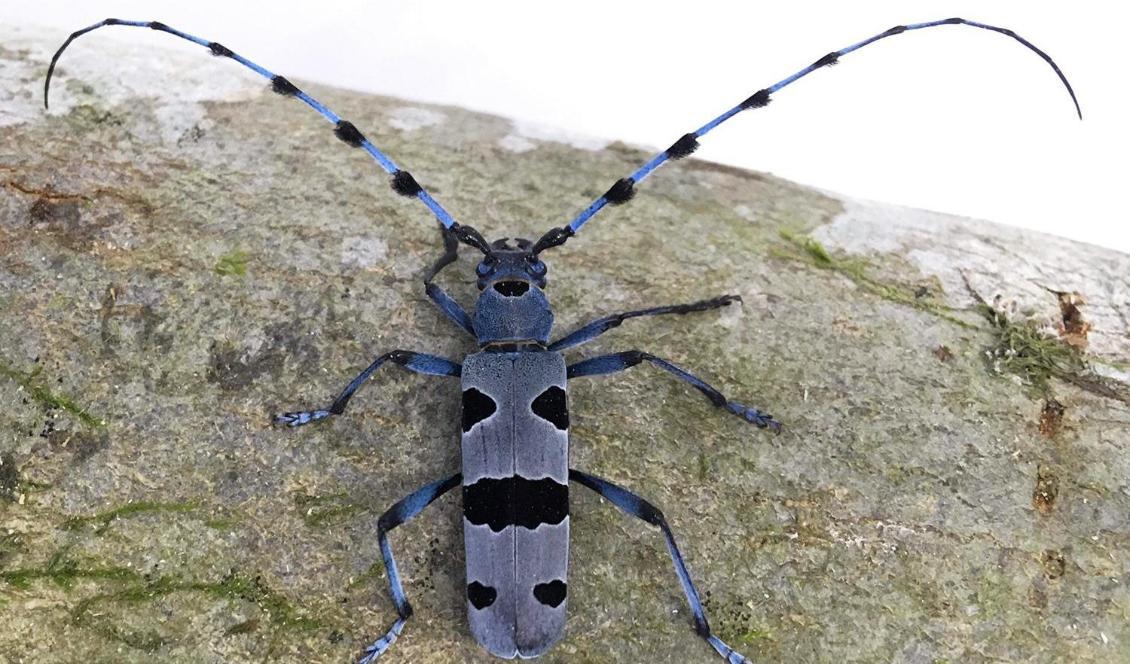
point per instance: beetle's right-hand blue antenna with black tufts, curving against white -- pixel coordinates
(624, 189)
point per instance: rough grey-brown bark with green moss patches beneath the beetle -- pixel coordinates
(184, 254)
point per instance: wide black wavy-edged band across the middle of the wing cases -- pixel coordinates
(516, 501)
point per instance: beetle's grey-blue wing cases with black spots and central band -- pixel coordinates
(516, 499)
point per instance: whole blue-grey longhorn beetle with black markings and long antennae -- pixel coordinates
(516, 469)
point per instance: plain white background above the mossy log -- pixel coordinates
(951, 119)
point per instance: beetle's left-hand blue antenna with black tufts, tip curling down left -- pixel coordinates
(399, 180)
